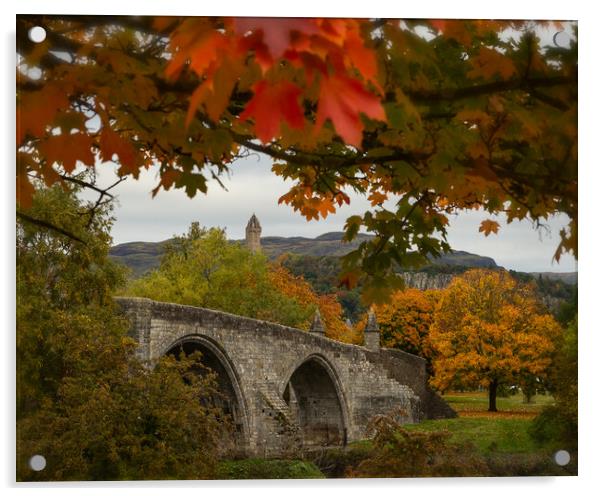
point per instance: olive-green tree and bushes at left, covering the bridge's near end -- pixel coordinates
(84, 401)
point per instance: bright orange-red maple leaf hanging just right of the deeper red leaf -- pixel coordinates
(341, 100)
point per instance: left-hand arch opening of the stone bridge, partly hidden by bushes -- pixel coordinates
(228, 379)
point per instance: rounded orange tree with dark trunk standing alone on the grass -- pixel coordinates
(489, 330)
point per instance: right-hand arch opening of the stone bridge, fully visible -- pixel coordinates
(314, 393)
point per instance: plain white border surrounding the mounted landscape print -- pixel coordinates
(589, 189)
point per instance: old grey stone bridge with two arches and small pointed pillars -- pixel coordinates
(284, 385)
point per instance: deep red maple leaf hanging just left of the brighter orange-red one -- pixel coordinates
(270, 105)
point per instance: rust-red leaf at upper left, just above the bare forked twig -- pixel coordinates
(67, 149)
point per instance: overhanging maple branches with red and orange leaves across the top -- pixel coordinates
(435, 115)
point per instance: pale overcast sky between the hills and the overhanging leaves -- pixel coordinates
(253, 188)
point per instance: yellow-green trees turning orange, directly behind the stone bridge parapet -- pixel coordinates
(204, 269)
